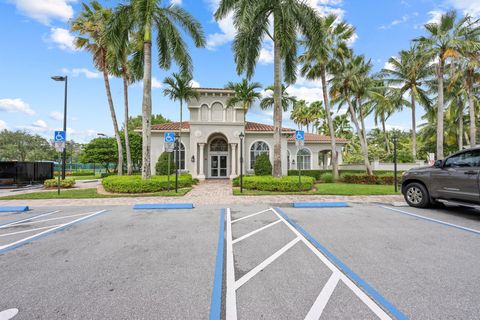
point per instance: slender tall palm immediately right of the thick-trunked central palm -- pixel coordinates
(319, 51)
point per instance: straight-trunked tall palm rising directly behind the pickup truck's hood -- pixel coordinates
(443, 42)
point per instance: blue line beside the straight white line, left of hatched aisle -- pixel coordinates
(216, 303)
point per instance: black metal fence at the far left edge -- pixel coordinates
(22, 173)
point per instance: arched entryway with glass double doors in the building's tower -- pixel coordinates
(218, 157)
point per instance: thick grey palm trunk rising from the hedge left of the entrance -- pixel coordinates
(147, 108)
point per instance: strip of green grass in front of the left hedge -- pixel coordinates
(88, 193)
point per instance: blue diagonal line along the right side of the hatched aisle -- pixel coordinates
(346, 270)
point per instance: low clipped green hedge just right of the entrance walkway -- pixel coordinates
(269, 183)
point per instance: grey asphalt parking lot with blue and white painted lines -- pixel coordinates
(265, 261)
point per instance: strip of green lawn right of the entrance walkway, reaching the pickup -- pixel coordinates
(340, 189)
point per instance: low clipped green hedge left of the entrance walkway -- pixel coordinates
(135, 184)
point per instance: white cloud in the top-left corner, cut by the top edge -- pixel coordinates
(45, 10)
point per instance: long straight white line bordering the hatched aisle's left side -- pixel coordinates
(231, 295)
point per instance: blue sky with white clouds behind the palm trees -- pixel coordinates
(36, 44)
